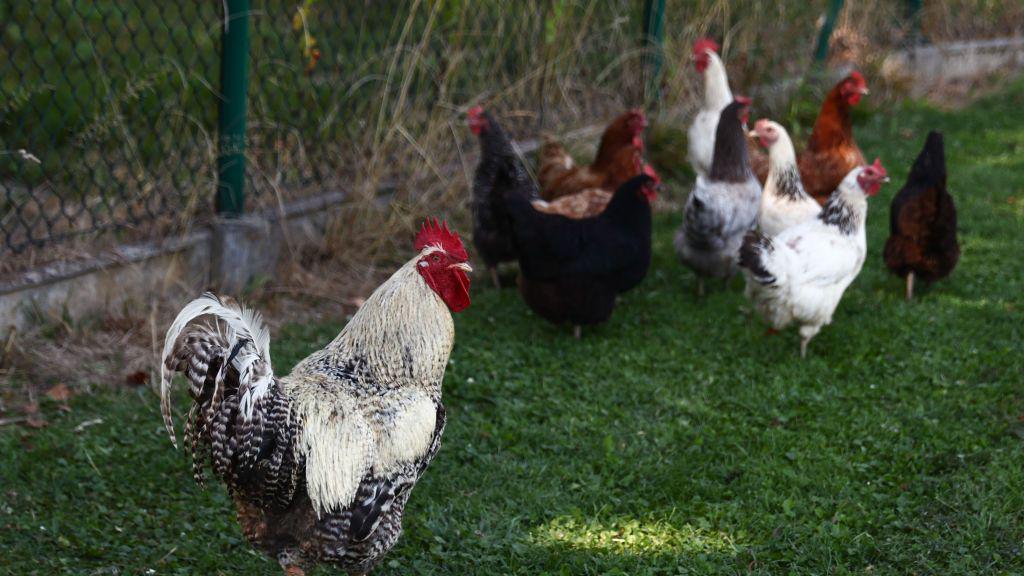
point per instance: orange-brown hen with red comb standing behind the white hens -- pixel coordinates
(831, 152)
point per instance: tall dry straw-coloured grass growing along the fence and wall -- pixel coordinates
(569, 64)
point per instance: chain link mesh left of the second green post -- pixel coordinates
(109, 109)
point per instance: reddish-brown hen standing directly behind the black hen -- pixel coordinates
(559, 175)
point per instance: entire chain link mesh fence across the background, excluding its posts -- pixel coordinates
(109, 109)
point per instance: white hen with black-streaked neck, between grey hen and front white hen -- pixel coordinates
(784, 203)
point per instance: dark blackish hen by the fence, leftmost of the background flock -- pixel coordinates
(499, 172)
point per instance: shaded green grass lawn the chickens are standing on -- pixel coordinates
(678, 439)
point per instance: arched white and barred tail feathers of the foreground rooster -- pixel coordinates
(238, 333)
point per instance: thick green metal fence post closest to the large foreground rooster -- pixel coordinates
(232, 122)
